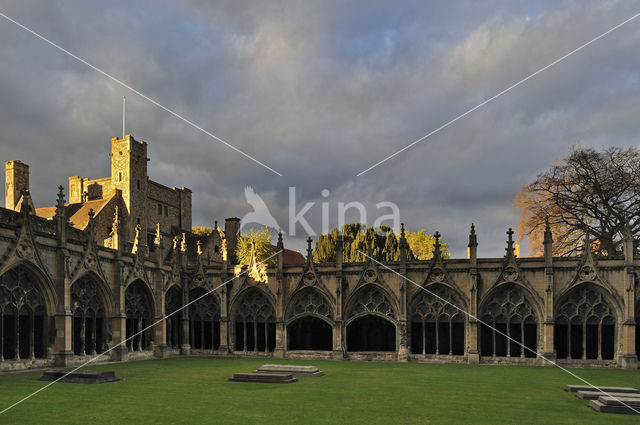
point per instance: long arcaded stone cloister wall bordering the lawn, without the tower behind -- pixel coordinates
(345, 306)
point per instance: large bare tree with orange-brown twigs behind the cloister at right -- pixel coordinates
(587, 191)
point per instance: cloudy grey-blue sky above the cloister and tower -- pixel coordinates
(320, 91)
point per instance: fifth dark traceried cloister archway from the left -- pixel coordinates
(204, 320)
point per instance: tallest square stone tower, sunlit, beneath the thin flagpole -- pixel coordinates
(129, 174)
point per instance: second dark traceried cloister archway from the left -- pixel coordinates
(88, 332)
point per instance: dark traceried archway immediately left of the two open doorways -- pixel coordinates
(255, 327)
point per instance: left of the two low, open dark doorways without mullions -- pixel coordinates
(310, 333)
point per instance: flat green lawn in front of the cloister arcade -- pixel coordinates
(196, 391)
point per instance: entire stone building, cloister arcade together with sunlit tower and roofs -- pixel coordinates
(109, 272)
